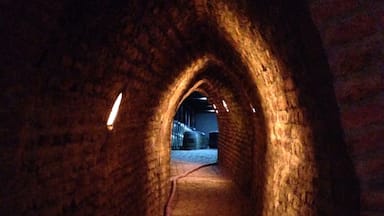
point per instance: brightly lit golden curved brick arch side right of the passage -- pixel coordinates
(285, 163)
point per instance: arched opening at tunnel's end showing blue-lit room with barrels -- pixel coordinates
(194, 132)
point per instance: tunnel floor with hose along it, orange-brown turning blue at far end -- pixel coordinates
(206, 191)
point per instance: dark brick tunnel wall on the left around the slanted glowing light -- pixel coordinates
(65, 63)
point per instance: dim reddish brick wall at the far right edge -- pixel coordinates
(352, 35)
